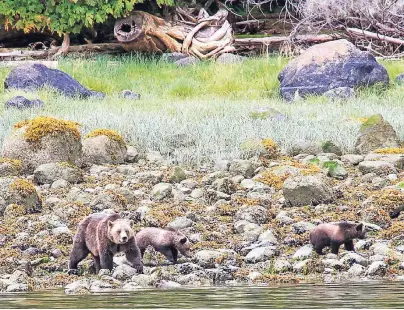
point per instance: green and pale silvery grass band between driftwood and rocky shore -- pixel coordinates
(210, 104)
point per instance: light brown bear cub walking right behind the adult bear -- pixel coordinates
(167, 241)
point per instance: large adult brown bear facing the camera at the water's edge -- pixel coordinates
(103, 235)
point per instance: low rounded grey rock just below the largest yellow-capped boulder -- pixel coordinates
(51, 172)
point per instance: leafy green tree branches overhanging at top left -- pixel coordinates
(64, 16)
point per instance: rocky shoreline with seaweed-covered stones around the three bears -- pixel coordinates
(248, 219)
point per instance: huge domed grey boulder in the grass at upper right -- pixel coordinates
(330, 65)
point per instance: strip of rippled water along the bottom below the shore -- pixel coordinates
(348, 295)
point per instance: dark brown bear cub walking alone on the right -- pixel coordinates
(335, 234)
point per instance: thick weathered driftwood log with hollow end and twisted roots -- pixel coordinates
(203, 36)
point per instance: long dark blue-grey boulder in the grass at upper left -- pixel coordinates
(33, 77)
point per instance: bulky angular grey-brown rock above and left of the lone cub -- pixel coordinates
(307, 190)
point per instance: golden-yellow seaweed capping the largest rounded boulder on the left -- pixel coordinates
(42, 126)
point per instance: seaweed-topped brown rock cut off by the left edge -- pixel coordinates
(19, 193)
